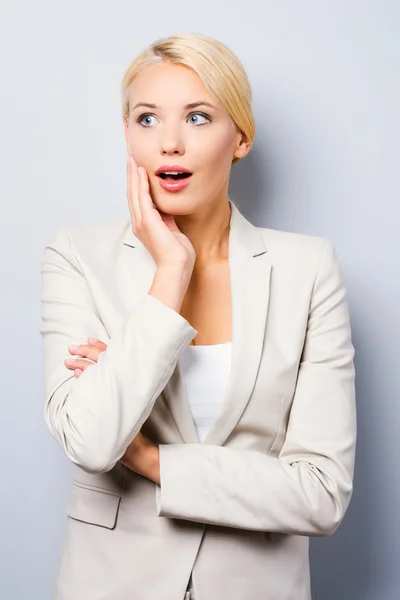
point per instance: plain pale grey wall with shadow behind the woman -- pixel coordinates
(325, 77)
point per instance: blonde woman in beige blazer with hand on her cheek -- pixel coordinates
(208, 397)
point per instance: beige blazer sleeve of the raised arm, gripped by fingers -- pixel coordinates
(96, 416)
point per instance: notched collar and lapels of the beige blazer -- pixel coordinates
(250, 273)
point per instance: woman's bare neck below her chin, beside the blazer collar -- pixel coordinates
(208, 231)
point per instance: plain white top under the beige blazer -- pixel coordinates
(205, 371)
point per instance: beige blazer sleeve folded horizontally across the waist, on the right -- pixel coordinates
(307, 489)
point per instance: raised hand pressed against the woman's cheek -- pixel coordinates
(155, 229)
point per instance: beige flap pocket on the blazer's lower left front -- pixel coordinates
(95, 506)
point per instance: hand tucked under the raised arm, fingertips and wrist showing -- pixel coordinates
(141, 455)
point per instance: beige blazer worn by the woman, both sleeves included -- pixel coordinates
(277, 463)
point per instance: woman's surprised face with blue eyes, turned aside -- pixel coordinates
(200, 138)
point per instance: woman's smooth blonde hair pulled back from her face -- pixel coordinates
(218, 67)
